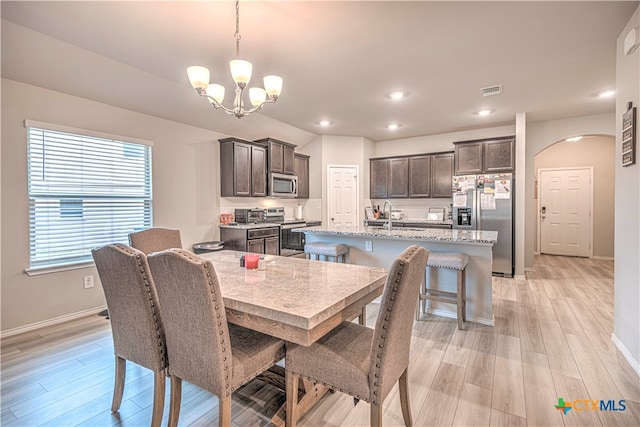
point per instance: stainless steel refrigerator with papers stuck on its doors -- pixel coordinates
(486, 202)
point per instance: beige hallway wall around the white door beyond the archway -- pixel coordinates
(599, 153)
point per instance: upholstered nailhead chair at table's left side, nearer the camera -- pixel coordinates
(204, 350)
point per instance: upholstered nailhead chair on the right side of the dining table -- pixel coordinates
(363, 362)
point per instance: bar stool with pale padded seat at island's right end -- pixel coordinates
(452, 261)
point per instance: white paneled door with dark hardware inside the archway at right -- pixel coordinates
(565, 212)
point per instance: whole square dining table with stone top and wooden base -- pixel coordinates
(295, 299)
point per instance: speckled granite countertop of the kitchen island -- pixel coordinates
(427, 234)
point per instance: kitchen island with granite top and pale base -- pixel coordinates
(377, 247)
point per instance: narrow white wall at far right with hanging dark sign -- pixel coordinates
(626, 316)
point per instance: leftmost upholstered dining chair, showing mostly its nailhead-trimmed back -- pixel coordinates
(136, 323)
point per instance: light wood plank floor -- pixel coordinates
(551, 340)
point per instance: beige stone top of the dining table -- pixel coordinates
(295, 291)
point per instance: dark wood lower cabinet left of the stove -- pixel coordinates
(263, 240)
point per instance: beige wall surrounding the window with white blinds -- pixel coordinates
(186, 193)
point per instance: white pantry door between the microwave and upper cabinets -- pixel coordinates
(342, 194)
